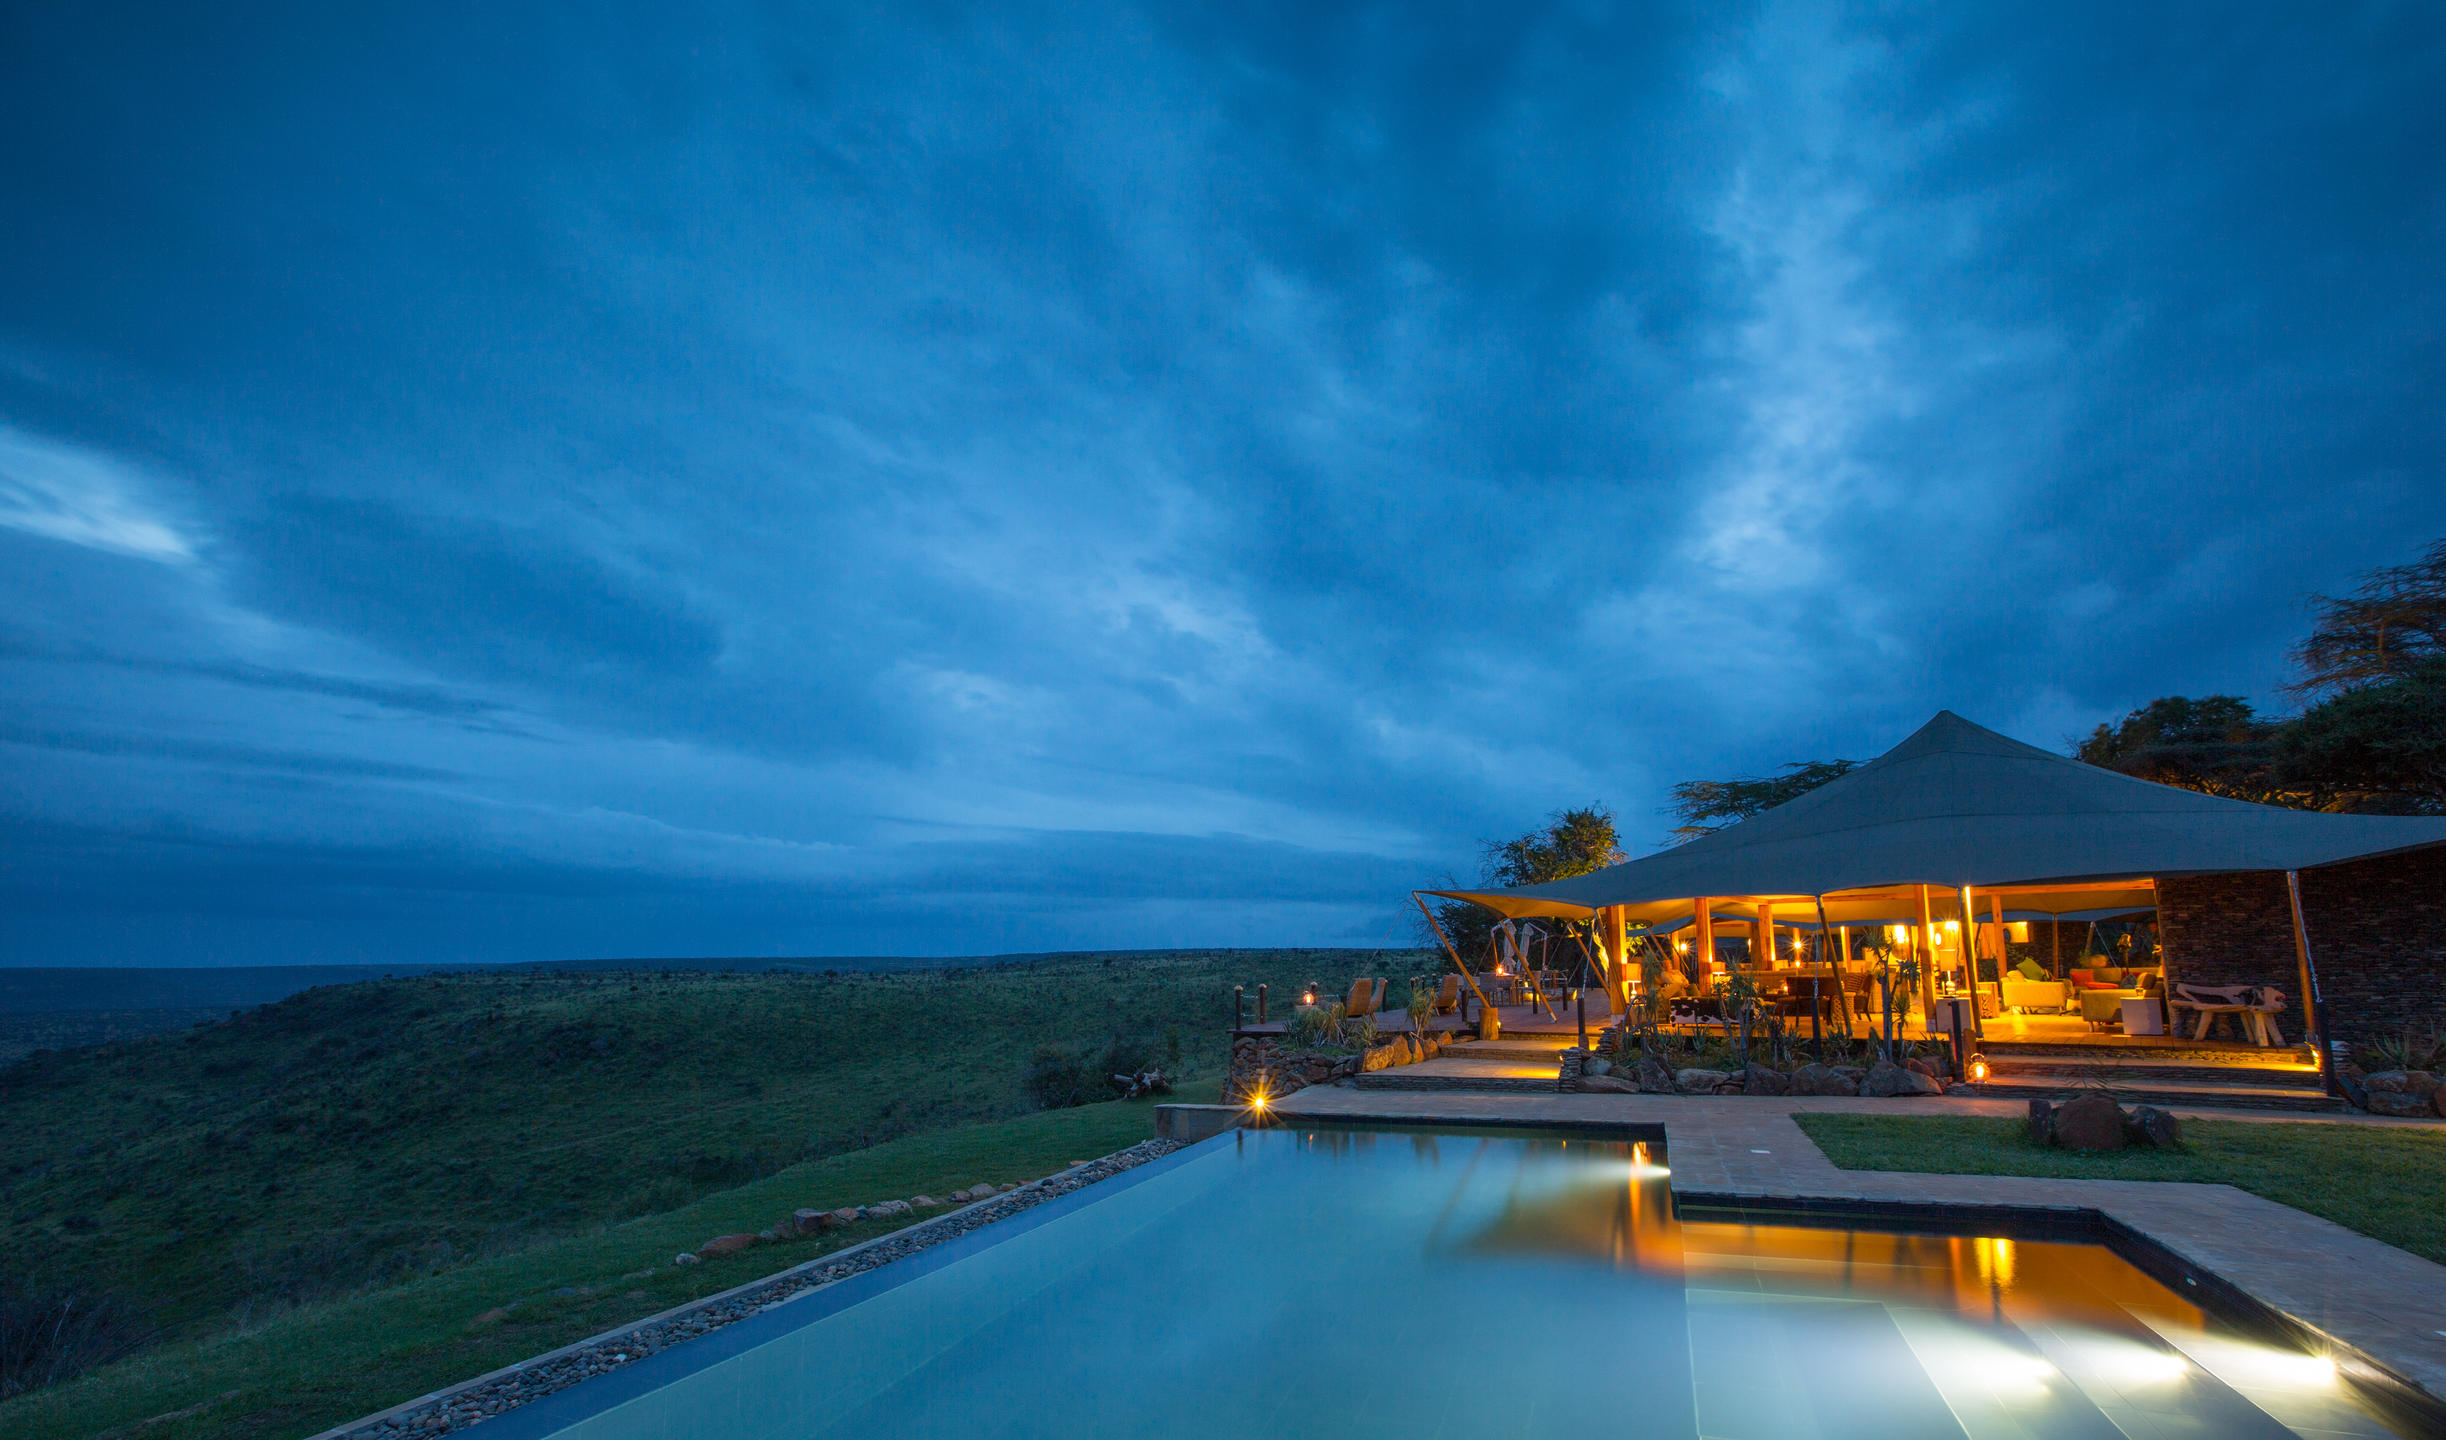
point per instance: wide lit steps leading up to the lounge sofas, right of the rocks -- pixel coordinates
(2286, 1079)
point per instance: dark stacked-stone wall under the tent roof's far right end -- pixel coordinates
(2376, 930)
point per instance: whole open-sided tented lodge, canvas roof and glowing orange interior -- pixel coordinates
(1973, 881)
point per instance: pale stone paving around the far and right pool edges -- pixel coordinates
(2379, 1299)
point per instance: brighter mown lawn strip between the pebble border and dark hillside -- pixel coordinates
(329, 1363)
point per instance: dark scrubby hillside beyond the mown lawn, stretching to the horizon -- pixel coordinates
(363, 1136)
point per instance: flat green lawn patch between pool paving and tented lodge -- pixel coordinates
(2379, 1180)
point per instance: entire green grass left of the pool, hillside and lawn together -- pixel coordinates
(358, 1150)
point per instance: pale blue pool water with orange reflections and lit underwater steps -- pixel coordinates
(1354, 1282)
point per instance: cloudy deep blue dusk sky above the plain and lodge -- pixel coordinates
(493, 483)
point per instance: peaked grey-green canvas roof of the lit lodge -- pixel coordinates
(1963, 806)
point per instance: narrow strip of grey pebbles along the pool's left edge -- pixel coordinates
(556, 1370)
